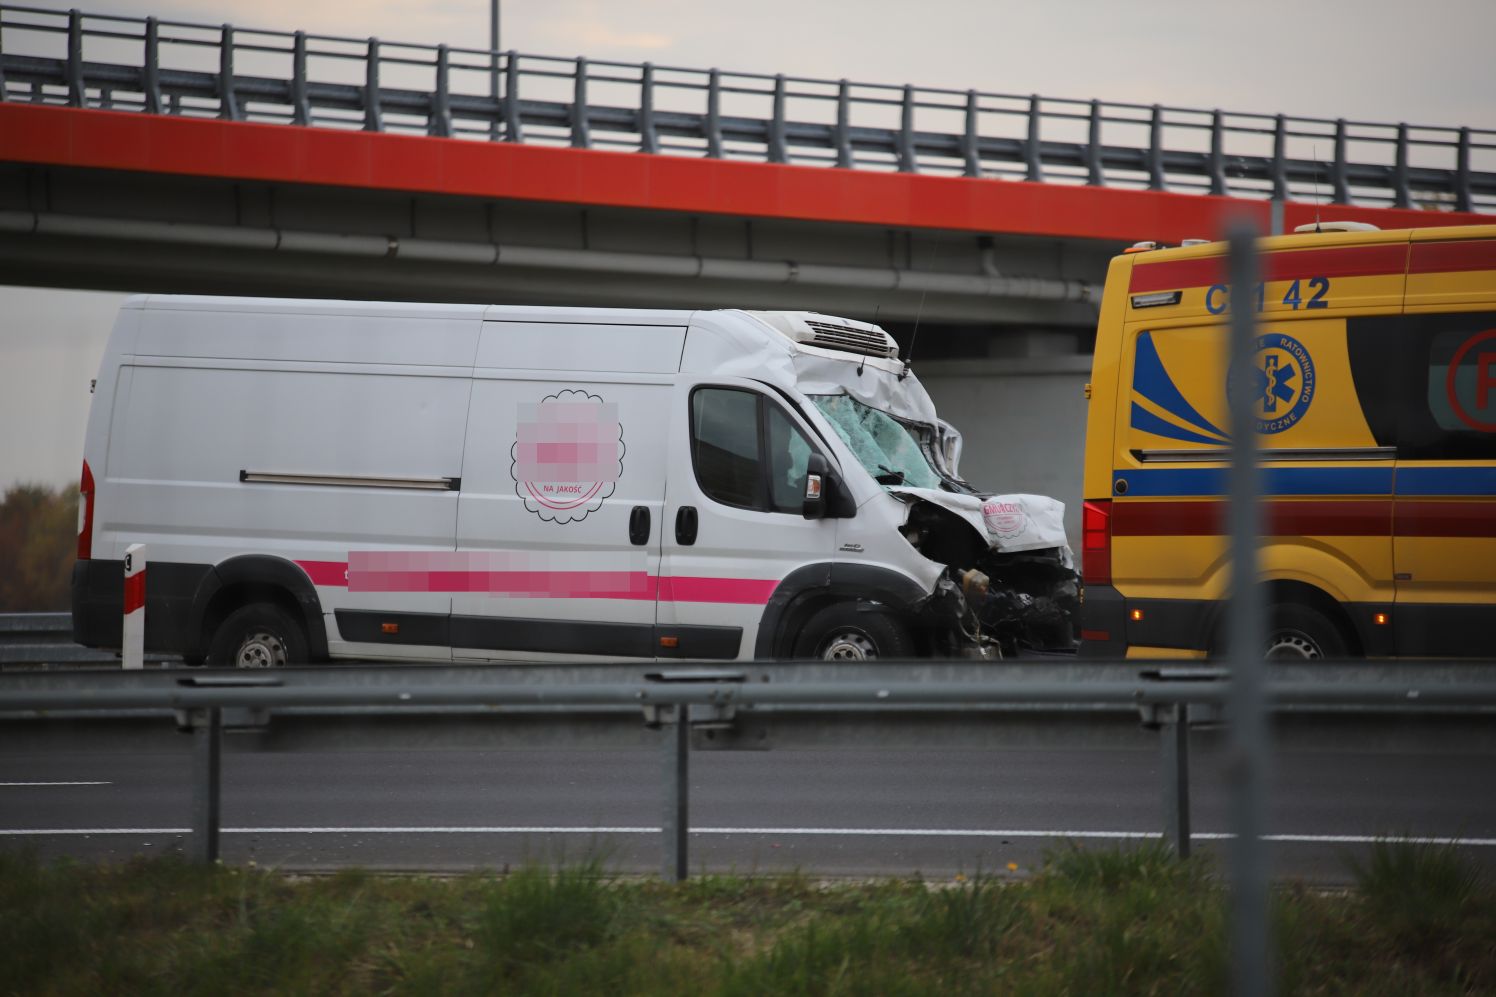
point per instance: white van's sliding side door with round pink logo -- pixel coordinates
(563, 495)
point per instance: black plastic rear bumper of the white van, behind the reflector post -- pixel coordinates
(170, 597)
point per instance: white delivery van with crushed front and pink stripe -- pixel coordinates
(333, 480)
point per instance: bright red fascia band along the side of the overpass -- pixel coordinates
(372, 161)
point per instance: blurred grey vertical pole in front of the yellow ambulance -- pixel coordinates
(1248, 760)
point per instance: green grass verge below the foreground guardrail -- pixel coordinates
(1130, 921)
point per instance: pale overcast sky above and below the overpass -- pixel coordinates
(1376, 61)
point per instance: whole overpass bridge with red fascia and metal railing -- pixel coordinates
(149, 155)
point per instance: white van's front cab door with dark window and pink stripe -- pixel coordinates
(735, 522)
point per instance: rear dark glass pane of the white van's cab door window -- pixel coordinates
(725, 445)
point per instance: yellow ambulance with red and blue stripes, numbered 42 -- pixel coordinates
(1376, 402)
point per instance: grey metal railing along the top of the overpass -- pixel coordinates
(164, 67)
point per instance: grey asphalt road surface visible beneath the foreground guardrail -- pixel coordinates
(828, 812)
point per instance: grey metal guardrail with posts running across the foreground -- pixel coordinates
(720, 707)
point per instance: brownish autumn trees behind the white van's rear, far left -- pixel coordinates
(38, 546)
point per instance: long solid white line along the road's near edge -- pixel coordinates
(894, 833)
